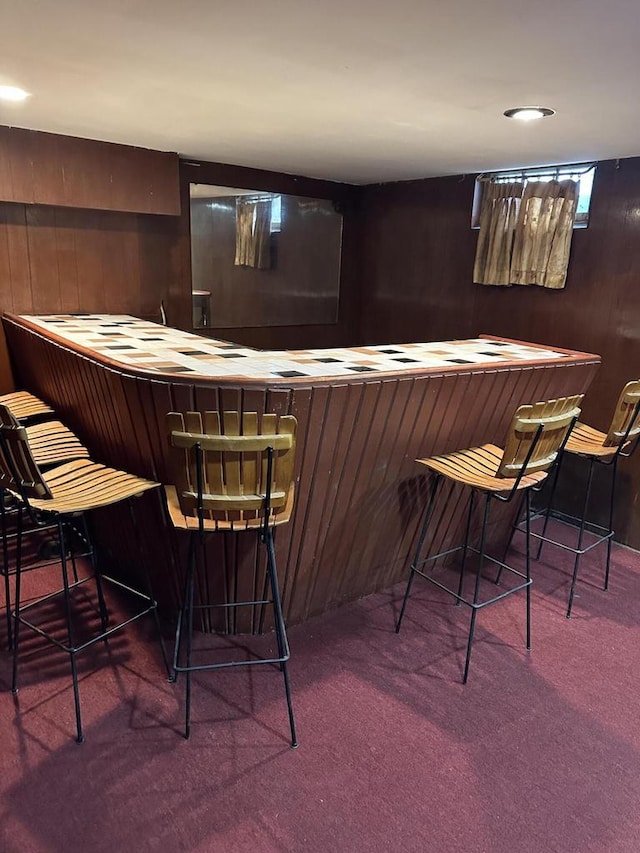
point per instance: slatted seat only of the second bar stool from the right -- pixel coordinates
(478, 468)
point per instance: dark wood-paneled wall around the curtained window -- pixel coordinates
(418, 250)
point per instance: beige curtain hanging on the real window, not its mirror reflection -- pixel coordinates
(525, 233)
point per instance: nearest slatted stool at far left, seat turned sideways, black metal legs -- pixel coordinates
(61, 497)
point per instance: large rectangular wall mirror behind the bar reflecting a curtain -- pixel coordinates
(262, 258)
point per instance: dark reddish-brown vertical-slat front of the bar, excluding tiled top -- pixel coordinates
(358, 491)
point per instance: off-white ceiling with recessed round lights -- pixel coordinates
(360, 91)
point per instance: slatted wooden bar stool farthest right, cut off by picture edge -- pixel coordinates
(597, 448)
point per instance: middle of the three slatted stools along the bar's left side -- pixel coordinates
(51, 443)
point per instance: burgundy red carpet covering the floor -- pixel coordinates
(538, 752)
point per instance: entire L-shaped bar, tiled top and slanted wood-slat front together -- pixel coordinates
(364, 415)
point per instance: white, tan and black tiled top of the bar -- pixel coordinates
(151, 347)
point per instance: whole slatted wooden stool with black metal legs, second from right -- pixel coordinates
(536, 435)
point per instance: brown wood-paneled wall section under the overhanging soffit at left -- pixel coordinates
(64, 260)
